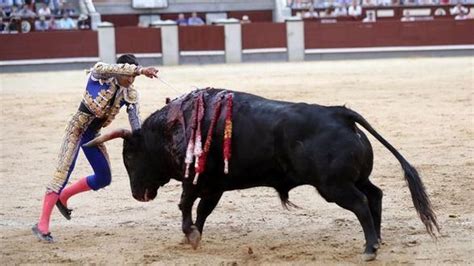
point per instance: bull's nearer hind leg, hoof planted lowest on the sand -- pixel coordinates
(350, 198)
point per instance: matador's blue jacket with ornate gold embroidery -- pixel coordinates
(104, 97)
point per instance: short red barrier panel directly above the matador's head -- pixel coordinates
(137, 40)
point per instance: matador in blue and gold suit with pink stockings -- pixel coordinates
(109, 87)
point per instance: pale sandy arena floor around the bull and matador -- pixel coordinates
(423, 106)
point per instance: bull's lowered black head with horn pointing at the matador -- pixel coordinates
(141, 169)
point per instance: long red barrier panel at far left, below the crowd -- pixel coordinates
(53, 44)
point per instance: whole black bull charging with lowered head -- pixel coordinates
(275, 144)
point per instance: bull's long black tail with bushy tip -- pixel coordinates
(420, 199)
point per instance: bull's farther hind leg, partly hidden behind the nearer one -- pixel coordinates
(374, 195)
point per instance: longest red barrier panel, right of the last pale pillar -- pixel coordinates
(388, 33)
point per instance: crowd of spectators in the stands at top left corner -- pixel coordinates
(40, 15)
